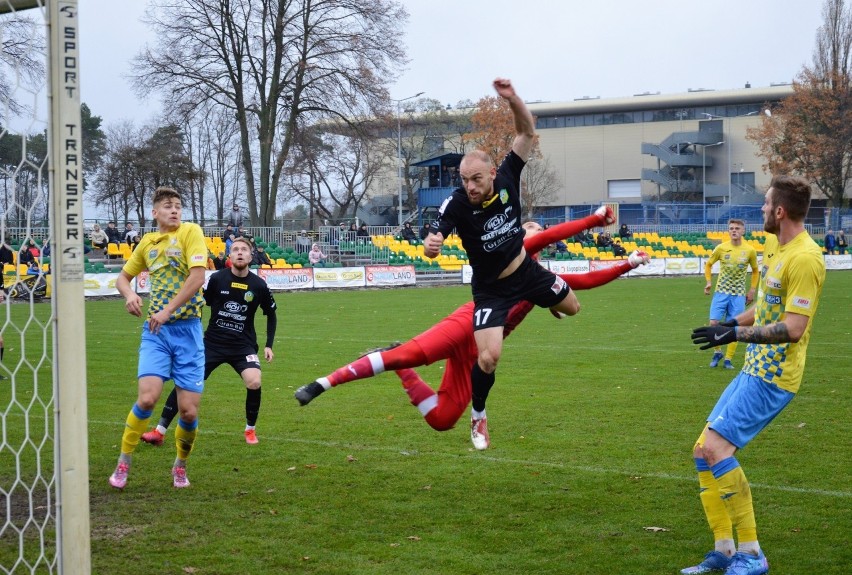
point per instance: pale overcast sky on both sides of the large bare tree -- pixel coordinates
(553, 50)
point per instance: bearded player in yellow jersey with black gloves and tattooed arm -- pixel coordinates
(777, 329)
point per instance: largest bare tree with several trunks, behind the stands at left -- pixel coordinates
(273, 64)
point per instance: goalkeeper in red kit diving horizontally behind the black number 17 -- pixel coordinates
(452, 340)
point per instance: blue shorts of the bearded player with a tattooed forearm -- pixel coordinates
(747, 405)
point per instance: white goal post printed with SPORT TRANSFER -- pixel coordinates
(71, 464)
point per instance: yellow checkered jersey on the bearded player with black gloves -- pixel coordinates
(791, 281)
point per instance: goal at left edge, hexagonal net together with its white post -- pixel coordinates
(44, 484)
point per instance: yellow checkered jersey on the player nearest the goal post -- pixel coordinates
(168, 258)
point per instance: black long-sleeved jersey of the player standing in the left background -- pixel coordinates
(233, 302)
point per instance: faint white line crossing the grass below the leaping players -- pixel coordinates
(583, 468)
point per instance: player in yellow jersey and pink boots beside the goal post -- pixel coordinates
(172, 344)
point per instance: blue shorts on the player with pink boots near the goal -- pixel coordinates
(176, 352)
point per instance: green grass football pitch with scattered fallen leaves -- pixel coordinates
(592, 421)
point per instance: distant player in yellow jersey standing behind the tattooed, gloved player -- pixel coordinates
(730, 298)
